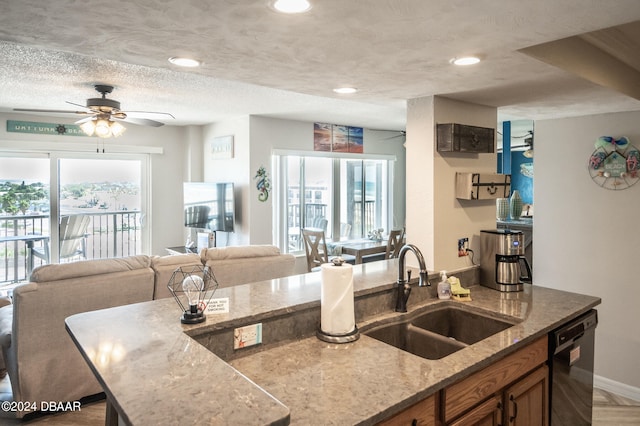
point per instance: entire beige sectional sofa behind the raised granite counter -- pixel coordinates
(42, 361)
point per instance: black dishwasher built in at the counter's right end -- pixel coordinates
(571, 371)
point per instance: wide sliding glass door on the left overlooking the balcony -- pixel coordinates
(38, 190)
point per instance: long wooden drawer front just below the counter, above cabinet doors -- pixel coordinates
(468, 392)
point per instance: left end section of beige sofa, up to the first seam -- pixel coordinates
(42, 361)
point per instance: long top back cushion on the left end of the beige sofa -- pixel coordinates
(85, 268)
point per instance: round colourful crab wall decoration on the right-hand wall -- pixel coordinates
(615, 163)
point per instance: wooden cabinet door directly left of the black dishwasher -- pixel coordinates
(527, 401)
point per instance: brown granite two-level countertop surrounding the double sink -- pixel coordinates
(154, 371)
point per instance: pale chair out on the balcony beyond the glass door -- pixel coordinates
(73, 239)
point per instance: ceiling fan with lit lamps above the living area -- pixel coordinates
(108, 110)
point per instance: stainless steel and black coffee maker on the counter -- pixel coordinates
(502, 260)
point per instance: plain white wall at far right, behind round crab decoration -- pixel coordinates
(586, 236)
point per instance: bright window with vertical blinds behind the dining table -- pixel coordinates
(346, 197)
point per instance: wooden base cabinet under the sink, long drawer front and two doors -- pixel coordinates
(513, 391)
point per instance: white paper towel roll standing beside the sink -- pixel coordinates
(336, 299)
